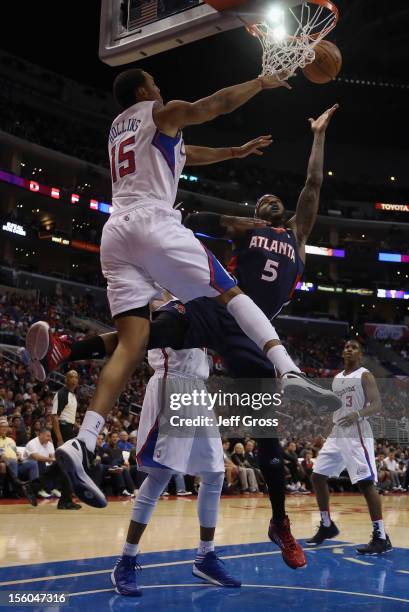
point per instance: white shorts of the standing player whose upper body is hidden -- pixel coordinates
(188, 449)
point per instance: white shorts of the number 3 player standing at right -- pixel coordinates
(351, 448)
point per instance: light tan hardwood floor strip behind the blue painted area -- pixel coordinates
(39, 535)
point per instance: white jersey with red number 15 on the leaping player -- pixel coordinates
(145, 164)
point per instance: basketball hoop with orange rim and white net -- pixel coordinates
(287, 33)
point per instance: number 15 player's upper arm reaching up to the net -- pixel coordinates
(177, 114)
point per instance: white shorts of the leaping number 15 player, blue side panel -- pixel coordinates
(149, 244)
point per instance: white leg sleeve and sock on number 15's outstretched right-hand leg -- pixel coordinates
(258, 328)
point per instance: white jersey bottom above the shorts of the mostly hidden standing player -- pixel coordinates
(189, 363)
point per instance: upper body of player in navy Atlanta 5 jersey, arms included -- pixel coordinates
(269, 261)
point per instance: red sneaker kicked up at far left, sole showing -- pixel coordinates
(46, 350)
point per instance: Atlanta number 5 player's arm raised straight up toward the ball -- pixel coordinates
(308, 202)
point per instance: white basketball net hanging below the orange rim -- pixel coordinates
(308, 24)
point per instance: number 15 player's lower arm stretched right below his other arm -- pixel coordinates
(204, 156)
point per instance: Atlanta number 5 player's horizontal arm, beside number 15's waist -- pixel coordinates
(222, 226)
